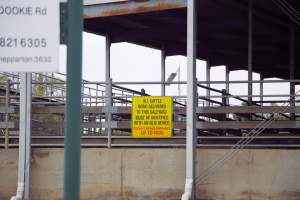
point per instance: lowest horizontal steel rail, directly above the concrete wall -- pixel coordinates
(126, 141)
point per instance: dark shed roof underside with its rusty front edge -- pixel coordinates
(222, 31)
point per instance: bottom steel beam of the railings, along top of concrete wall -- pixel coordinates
(177, 141)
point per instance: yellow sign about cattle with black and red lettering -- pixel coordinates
(152, 117)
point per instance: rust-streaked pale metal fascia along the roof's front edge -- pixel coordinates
(131, 7)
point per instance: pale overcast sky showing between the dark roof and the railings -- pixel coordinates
(130, 62)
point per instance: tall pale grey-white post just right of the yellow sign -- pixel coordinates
(190, 189)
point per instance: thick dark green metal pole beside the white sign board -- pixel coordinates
(73, 102)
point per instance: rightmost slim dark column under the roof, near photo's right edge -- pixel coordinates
(292, 66)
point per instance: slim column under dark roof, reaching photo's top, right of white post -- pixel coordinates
(250, 50)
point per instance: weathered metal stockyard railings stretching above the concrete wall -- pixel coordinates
(216, 127)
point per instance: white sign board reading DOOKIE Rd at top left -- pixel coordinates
(29, 35)
